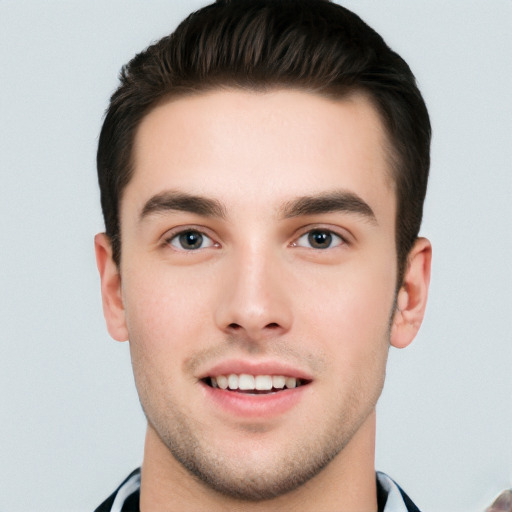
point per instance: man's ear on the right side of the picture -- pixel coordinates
(412, 296)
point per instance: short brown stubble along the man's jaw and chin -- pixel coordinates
(287, 470)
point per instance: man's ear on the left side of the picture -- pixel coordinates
(111, 295)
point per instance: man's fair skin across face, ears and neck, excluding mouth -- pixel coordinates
(257, 290)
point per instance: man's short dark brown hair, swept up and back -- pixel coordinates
(312, 45)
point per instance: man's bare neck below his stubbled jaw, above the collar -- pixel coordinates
(346, 484)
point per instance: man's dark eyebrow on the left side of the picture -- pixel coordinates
(183, 202)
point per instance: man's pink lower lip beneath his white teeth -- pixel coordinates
(255, 406)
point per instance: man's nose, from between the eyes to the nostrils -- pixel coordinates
(254, 301)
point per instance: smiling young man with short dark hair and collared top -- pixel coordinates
(262, 175)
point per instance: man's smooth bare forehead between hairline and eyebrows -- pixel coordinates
(256, 146)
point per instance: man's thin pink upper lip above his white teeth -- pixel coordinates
(239, 366)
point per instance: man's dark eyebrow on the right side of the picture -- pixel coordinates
(338, 201)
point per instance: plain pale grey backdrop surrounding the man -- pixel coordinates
(71, 426)
